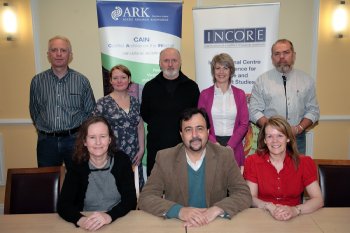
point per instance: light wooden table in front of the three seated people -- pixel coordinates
(326, 220)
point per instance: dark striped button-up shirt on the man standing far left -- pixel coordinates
(60, 104)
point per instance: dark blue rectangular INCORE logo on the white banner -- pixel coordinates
(230, 36)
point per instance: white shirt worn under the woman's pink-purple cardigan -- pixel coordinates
(224, 112)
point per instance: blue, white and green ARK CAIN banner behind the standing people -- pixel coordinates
(133, 33)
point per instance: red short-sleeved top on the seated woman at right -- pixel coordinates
(284, 187)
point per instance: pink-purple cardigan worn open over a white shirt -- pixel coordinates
(240, 128)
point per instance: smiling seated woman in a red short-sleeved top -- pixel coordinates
(277, 175)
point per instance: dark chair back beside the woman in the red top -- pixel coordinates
(334, 178)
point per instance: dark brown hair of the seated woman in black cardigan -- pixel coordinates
(81, 153)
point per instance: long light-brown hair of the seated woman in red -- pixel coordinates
(279, 123)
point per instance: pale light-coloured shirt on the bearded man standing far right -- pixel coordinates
(268, 97)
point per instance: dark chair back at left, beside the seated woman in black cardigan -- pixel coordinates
(33, 190)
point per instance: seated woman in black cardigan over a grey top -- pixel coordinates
(101, 180)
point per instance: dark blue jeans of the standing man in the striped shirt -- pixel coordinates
(53, 151)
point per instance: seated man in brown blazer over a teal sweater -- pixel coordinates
(195, 181)
